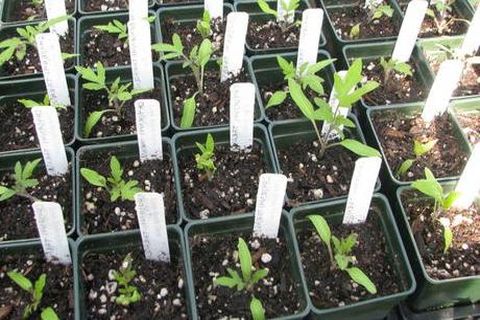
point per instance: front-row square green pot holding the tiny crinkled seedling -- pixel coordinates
(130, 240)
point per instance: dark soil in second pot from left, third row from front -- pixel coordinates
(112, 124)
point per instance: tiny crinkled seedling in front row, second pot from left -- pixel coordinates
(124, 276)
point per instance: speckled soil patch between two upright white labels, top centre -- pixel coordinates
(269, 35)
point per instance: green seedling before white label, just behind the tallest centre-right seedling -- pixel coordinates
(307, 77)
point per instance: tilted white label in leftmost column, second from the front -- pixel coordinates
(49, 135)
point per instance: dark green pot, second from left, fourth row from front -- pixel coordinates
(86, 23)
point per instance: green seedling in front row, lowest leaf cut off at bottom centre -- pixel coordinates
(247, 280)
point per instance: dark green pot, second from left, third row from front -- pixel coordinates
(125, 73)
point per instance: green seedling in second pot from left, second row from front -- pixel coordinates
(115, 185)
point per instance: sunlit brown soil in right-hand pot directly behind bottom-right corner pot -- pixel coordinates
(397, 133)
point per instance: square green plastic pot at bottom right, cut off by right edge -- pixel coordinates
(432, 293)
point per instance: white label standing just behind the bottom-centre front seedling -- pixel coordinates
(270, 200)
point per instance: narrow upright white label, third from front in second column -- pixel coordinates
(139, 44)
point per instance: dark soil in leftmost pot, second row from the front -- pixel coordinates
(17, 220)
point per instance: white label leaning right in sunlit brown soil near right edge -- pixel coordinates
(442, 89)
